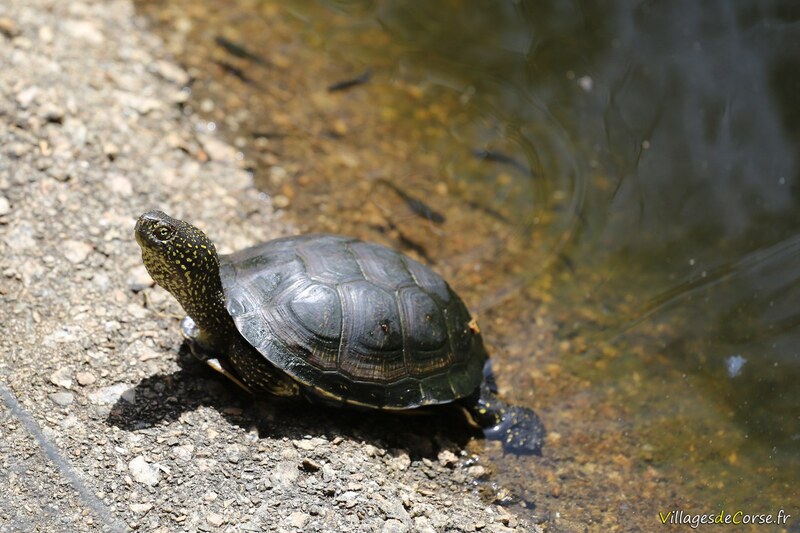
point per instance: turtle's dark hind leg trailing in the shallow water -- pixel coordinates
(520, 429)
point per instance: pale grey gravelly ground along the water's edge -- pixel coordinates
(106, 425)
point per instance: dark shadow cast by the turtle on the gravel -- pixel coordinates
(163, 398)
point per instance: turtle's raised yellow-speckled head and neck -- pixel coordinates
(181, 259)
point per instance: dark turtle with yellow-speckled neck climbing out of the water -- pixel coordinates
(334, 320)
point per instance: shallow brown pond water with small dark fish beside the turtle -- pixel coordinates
(612, 186)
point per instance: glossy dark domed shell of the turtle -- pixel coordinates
(354, 322)
